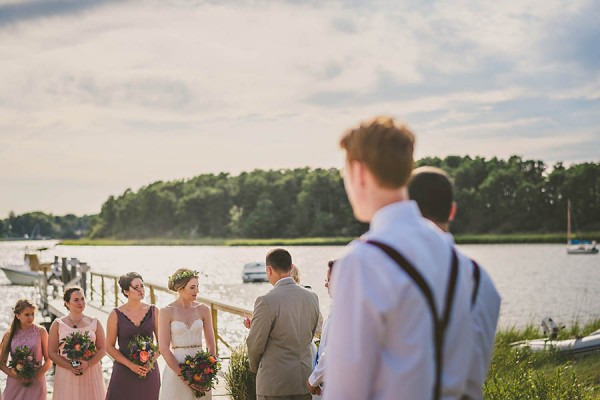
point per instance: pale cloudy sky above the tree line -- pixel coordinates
(100, 96)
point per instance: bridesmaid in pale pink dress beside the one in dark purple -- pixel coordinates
(84, 381)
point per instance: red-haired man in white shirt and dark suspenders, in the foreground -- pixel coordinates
(381, 331)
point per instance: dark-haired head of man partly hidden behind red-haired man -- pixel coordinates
(432, 189)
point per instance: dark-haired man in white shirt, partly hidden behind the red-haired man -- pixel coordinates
(432, 189)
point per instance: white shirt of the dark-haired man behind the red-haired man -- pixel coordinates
(484, 315)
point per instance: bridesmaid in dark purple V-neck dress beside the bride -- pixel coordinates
(132, 318)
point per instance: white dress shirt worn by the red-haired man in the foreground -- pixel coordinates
(380, 343)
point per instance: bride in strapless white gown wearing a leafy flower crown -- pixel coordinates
(180, 327)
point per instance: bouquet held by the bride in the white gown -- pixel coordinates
(200, 370)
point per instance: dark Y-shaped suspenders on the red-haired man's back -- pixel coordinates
(439, 324)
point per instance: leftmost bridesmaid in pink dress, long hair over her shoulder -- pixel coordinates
(23, 332)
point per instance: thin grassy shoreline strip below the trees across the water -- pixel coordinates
(488, 238)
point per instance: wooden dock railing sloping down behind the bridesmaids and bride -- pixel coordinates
(104, 288)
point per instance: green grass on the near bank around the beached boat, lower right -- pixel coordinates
(518, 373)
